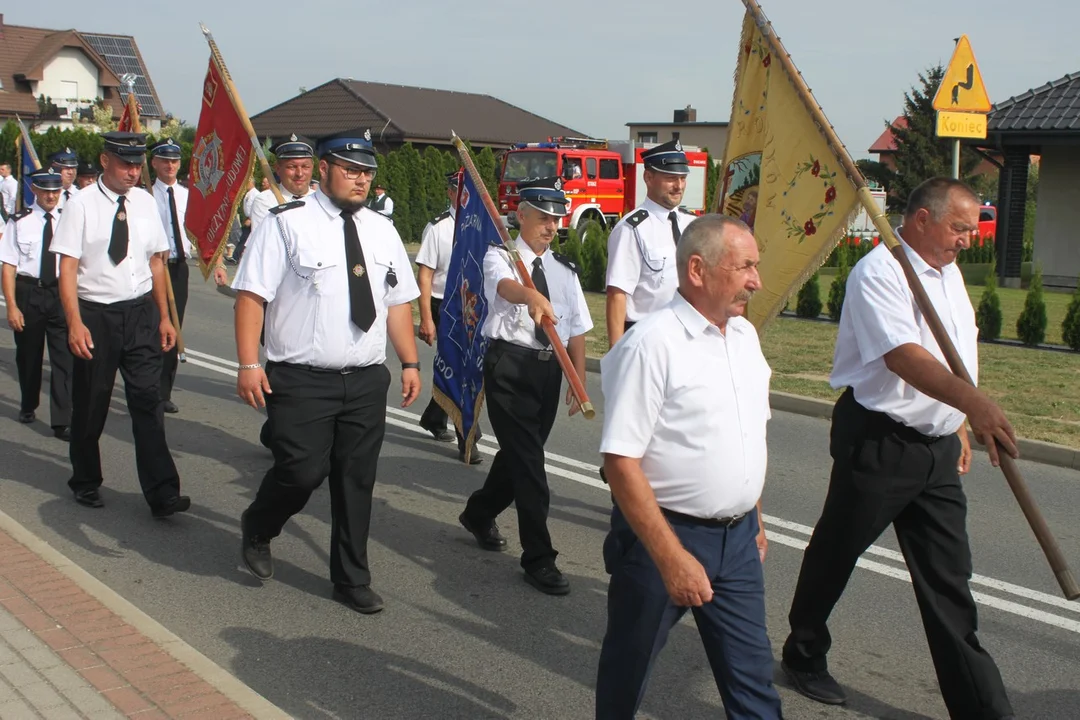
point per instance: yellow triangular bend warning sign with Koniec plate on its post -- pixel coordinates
(962, 101)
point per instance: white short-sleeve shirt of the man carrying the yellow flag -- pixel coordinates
(880, 316)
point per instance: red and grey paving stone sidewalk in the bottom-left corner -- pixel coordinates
(72, 649)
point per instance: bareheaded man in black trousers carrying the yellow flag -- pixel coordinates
(899, 447)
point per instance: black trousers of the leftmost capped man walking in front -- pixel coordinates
(44, 318)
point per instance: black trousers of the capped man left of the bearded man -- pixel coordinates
(127, 338)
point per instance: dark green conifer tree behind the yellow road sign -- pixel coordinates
(921, 154)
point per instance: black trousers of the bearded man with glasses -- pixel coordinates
(325, 424)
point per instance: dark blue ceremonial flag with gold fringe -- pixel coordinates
(460, 361)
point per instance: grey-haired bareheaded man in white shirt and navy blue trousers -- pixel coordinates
(685, 456)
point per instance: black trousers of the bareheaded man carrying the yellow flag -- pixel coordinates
(886, 473)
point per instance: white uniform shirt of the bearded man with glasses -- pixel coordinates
(307, 287)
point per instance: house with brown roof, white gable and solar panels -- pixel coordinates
(50, 78)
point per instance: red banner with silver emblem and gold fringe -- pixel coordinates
(222, 161)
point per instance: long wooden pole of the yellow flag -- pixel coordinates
(1009, 468)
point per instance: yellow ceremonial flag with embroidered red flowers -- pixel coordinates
(782, 178)
